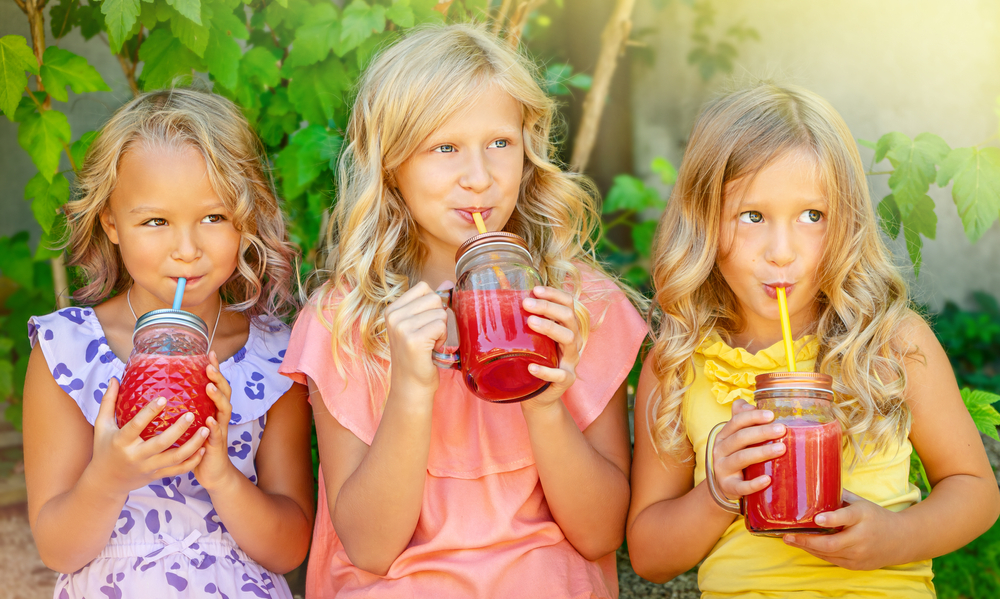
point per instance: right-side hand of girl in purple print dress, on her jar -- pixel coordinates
(216, 466)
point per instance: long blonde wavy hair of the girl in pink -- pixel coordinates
(374, 252)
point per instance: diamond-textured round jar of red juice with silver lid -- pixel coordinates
(169, 357)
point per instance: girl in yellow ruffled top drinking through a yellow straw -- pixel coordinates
(772, 193)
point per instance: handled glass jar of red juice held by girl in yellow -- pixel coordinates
(806, 478)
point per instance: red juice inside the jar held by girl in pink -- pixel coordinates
(496, 345)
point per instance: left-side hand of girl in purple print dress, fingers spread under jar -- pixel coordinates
(124, 462)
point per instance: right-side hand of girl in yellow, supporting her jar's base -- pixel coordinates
(866, 543)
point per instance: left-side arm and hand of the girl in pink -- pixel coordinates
(375, 493)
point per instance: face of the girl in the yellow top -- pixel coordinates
(773, 234)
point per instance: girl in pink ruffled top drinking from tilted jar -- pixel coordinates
(427, 490)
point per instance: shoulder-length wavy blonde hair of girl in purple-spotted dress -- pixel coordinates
(237, 171)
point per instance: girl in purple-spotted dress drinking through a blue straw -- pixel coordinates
(173, 187)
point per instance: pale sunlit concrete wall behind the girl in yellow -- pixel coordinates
(893, 65)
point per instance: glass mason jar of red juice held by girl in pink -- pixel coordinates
(494, 274)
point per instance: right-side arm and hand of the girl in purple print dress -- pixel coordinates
(272, 520)
